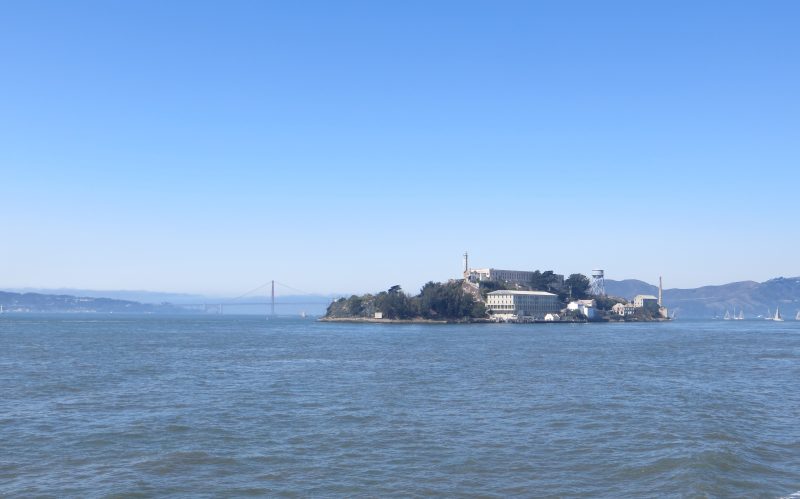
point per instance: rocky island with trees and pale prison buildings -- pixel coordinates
(484, 296)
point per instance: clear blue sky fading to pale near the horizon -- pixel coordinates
(344, 147)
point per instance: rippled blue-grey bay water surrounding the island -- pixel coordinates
(242, 406)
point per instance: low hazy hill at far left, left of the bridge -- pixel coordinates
(38, 302)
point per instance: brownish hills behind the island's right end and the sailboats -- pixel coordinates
(752, 297)
